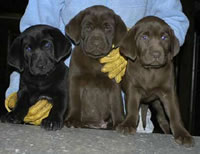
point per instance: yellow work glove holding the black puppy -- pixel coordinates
(36, 113)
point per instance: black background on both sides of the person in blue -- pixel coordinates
(187, 62)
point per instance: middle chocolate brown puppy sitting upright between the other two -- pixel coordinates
(95, 100)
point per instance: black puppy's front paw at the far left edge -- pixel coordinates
(12, 117)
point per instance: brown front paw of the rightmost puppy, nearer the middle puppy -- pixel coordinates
(126, 128)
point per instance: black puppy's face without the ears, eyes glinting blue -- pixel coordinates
(39, 54)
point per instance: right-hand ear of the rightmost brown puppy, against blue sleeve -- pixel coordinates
(175, 46)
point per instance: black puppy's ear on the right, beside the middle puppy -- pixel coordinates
(62, 45)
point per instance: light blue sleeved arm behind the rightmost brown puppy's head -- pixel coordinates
(171, 12)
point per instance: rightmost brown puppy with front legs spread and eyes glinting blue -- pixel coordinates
(150, 47)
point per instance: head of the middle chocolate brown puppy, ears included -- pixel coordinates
(96, 29)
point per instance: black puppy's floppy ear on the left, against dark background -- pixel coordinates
(15, 55)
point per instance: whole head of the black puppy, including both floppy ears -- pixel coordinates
(38, 49)
